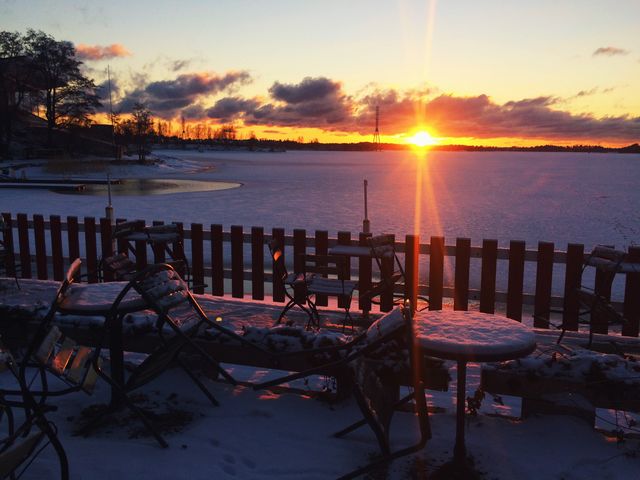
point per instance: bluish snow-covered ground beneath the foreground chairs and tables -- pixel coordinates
(265, 435)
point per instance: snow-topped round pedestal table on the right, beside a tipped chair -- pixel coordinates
(466, 336)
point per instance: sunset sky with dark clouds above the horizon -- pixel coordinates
(467, 72)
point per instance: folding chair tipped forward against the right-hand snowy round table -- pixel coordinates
(367, 362)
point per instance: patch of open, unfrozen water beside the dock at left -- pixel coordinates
(150, 186)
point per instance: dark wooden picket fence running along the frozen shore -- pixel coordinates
(237, 262)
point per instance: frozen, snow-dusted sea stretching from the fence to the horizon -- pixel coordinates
(532, 196)
